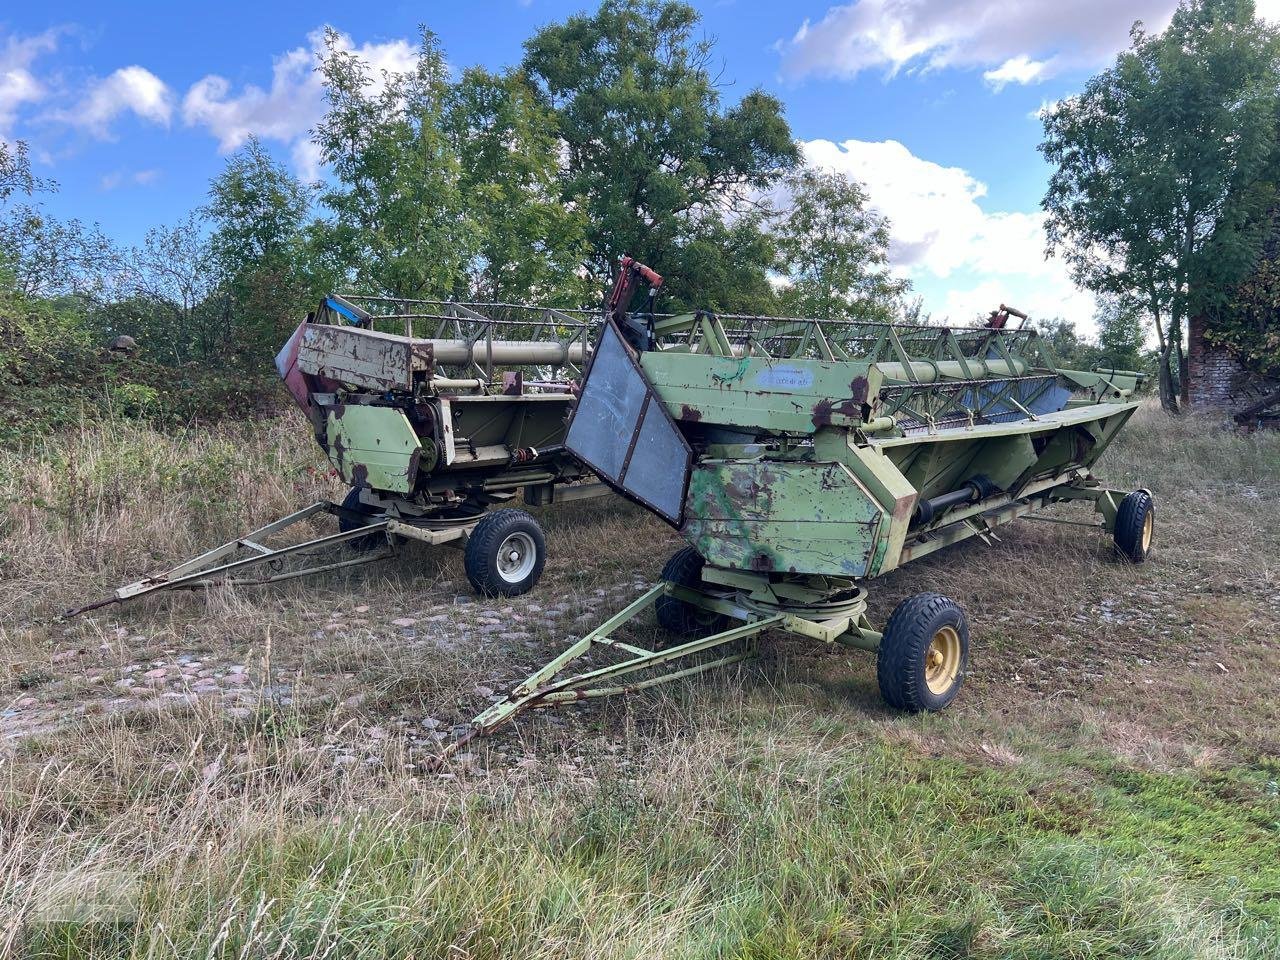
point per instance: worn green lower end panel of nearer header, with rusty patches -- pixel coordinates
(775, 516)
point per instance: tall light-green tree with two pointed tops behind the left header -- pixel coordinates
(401, 226)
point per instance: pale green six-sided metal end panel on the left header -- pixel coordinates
(373, 447)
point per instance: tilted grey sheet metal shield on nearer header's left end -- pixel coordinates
(624, 433)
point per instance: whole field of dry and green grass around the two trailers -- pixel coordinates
(240, 775)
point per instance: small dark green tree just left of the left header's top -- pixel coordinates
(259, 212)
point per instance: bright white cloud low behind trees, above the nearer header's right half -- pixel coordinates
(964, 259)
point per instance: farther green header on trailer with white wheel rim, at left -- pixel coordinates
(437, 415)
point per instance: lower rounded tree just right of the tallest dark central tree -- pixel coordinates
(834, 252)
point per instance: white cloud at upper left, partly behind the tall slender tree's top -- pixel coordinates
(292, 106)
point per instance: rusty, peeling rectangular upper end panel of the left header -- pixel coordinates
(363, 358)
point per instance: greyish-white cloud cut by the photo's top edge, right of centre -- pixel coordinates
(1017, 43)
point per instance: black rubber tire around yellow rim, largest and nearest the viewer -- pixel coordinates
(900, 666)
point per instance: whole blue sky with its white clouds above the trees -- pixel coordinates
(132, 107)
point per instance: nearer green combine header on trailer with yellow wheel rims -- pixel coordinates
(803, 459)
